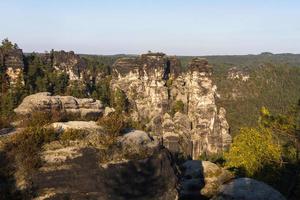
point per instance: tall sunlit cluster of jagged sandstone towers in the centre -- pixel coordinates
(153, 83)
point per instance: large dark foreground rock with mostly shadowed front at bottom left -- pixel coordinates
(75, 172)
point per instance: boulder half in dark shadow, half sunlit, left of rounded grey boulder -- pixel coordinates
(202, 179)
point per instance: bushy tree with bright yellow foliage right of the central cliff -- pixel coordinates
(252, 149)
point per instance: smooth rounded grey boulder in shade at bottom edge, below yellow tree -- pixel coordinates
(247, 189)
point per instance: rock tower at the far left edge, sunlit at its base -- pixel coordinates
(13, 64)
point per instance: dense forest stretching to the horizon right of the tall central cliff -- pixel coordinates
(274, 82)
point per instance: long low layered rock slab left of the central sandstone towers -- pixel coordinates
(84, 108)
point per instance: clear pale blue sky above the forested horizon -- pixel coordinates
(175, 27)
